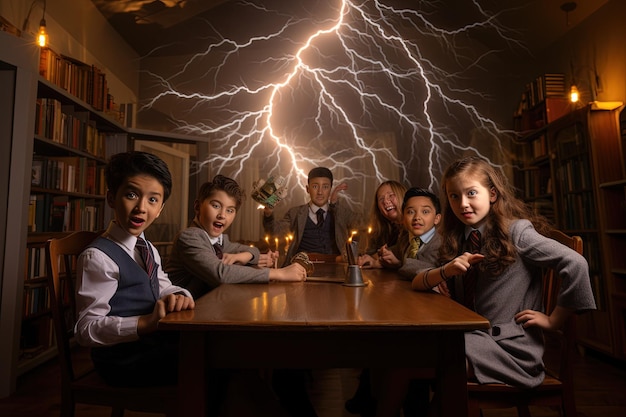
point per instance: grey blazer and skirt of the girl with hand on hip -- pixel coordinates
(508, 353)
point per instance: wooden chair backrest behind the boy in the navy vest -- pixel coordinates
(61, 255)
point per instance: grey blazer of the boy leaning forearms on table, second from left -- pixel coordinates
(193, 263)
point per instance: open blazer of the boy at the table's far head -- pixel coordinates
(294, 222)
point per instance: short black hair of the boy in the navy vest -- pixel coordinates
(123, 165)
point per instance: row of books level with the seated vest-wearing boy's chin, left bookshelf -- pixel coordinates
(48, 213)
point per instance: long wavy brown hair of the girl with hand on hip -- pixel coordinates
(497, 247)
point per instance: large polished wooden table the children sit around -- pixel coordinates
(324, 325)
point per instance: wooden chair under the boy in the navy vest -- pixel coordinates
(79, 381)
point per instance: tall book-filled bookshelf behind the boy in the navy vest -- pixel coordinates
(72, 126)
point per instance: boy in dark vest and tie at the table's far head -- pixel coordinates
(320, 226)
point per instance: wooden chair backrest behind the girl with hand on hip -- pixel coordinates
(559, 344)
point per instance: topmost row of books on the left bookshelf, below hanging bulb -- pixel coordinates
(87, 82)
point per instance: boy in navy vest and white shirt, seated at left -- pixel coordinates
(122, 292)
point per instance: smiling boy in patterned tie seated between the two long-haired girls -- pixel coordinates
(421, 211)
